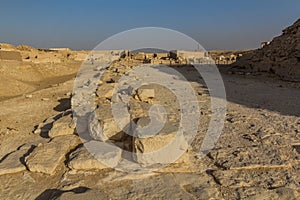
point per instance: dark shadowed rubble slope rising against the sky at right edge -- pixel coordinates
(281, 56)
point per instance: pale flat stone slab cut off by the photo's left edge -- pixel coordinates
(12, 163)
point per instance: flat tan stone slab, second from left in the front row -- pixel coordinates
(46, 157)
